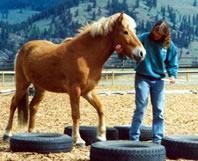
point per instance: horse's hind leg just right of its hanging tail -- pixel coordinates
(34, 104)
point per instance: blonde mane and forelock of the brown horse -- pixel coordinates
(105, 25)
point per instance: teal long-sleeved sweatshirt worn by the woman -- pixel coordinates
(157, 59)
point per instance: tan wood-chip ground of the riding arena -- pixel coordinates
(181, 117)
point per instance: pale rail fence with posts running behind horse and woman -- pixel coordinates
(108, 77)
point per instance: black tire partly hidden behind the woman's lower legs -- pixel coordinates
(146, 132)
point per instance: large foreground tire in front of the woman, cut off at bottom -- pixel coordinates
(123, 150)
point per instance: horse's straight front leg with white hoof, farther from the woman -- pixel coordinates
(75, 101)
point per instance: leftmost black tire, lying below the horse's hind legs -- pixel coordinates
(41, 143)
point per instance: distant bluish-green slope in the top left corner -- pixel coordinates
(18, 11)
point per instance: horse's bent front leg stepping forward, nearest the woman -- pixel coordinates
(94, 101)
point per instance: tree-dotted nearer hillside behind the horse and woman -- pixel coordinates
(63, 21)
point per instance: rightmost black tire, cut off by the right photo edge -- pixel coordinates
(181, 146)
